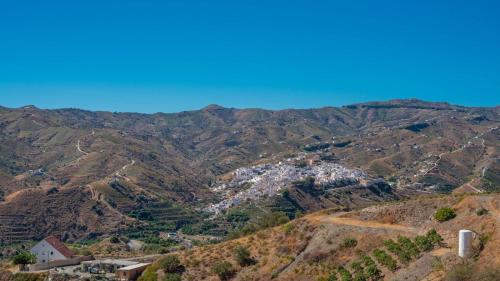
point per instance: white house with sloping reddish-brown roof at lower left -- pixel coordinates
(51, 249)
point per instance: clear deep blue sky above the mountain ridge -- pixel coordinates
(152, 55)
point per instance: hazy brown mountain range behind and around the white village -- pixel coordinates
(96, 173)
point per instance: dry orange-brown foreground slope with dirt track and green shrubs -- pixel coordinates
(319, 245)
